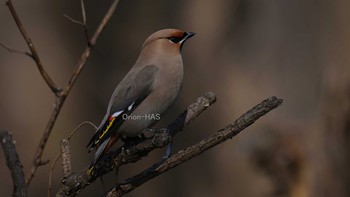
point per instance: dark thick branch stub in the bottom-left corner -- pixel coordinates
(14, 164)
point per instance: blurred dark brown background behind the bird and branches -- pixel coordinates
(244, 51)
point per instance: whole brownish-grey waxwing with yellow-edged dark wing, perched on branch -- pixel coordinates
(147, 91)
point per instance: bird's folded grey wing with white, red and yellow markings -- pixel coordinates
(130, 92)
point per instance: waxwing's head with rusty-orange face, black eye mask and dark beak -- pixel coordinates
(168, 38)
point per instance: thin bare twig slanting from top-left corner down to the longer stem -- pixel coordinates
(34, 53)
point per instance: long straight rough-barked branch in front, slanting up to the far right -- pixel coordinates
(184, 155)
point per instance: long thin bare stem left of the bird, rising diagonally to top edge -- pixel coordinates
(63, 95)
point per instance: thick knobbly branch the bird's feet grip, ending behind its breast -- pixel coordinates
(74, 183)
